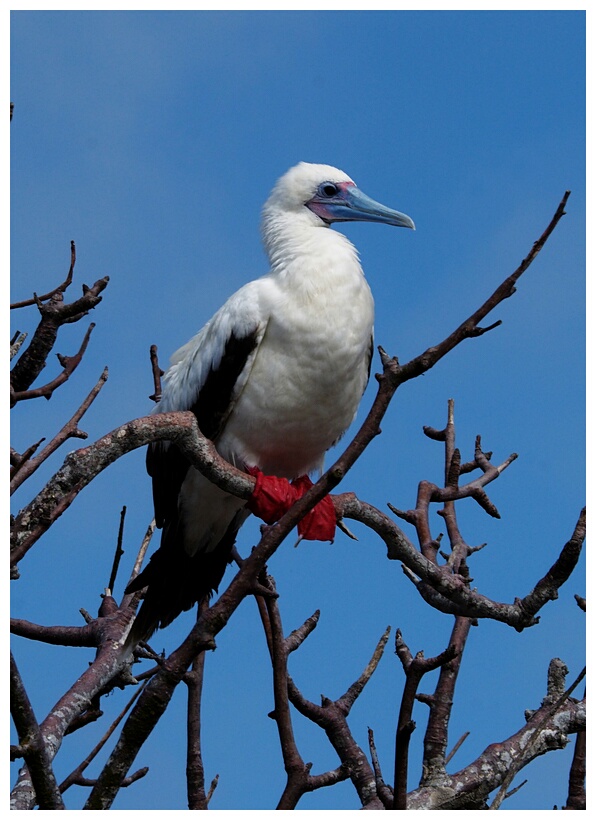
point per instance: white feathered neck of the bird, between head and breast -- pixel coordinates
(303, 252)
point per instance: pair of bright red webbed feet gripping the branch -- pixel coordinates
(272, 497)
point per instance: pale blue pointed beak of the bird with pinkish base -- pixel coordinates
(352, 205)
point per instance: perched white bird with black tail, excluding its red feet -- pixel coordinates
(274, 378)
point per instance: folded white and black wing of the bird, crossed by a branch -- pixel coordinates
(207, 376)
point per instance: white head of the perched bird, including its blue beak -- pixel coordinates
(328, 195)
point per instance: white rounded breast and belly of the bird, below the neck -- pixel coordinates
(306, 381)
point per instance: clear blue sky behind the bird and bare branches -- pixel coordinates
(152, 139)
